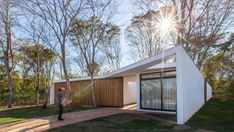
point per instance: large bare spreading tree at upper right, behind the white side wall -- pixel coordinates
(201, 24)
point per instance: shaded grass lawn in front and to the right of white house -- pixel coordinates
(216, 115)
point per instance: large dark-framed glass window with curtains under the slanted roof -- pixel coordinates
(158, 91)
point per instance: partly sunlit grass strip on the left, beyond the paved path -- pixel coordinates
(14, 115)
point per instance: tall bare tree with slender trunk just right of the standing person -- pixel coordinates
(58, 15)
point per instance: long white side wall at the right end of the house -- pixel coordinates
(190, 87)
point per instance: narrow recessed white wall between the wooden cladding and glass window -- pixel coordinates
(129, 89)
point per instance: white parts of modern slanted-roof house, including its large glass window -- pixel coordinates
(168, 82)
